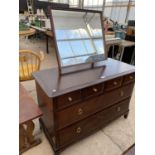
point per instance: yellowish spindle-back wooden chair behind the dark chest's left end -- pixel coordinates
(29, 62)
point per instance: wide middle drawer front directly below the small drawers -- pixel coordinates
(91, 106)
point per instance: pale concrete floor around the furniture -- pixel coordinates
(111, 140)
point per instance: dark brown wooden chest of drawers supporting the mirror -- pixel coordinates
(78, 104)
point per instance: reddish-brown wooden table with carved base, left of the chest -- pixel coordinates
(28, 110)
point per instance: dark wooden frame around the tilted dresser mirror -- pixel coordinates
(56, 46)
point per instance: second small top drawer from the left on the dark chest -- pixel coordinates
(93, 90)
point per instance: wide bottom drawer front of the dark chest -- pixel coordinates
(91, 124)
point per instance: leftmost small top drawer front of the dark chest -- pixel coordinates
(68, 99)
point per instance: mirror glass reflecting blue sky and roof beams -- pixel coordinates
(79, 37)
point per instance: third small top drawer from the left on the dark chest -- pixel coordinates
(114, 83)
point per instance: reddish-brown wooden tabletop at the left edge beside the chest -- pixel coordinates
(28, 109)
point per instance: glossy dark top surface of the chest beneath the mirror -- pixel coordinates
(50, 79)
